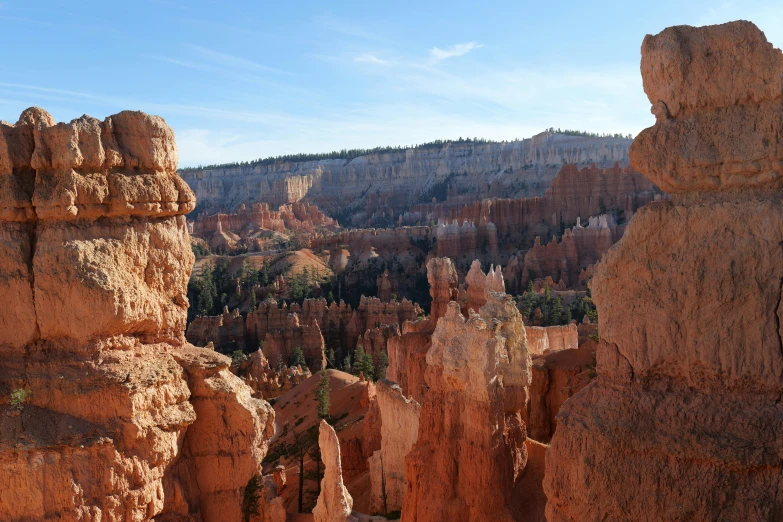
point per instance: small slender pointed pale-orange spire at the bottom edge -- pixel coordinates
(334, 502)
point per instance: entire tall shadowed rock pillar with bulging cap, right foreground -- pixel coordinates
(685, 411)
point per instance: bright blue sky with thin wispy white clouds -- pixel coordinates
(242, 80)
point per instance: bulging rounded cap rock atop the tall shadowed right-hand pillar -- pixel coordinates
(705, 85)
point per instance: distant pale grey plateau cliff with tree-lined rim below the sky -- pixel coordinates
(403, 177)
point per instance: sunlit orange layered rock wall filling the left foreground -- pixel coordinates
(107, 412)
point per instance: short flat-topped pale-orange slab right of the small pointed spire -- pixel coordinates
(399, 431)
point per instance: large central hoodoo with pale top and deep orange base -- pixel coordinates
(471, 450)
